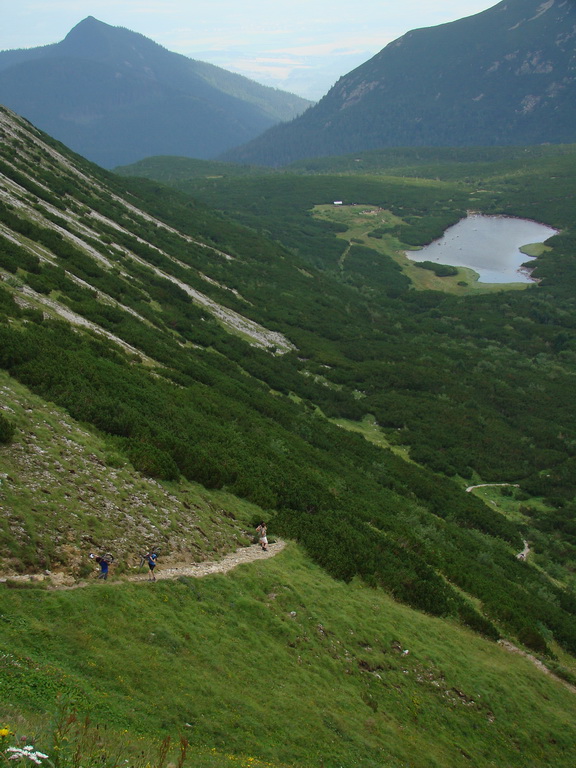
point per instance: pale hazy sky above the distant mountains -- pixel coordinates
(300, 46)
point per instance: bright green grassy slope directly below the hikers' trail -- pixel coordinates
(278, 661)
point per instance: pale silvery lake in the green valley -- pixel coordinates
(490, 245)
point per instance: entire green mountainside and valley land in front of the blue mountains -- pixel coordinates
(171, 376)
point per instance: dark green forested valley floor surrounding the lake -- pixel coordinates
(451, 374)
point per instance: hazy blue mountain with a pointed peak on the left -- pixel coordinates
(115, 97)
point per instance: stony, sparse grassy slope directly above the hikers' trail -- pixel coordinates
(62, 482)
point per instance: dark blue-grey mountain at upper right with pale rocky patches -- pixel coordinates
(506, 76)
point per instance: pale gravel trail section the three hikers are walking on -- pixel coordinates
(172, 570)
